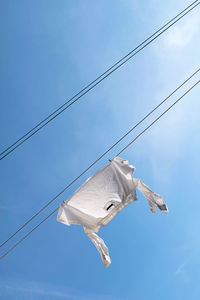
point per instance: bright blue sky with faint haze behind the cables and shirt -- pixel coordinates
(49, 51)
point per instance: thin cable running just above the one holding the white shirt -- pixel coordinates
(126, 134)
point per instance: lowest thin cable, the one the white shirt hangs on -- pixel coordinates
(21, 240)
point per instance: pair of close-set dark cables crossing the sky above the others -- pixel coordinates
(98, 80)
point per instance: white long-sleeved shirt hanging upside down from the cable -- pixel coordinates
(103, 196)
